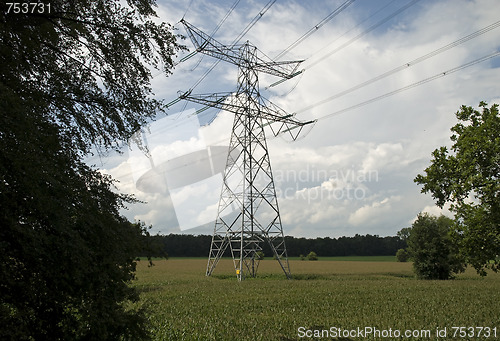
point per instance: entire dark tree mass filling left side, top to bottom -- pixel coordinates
(71, 80)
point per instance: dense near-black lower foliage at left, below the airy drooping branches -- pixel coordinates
(66, 253)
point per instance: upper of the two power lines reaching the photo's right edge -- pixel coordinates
(404, 66)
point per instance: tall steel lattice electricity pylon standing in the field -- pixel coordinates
(248, 212)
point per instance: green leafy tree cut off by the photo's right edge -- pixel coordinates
(468, 178)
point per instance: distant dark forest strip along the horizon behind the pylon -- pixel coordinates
(180, 245)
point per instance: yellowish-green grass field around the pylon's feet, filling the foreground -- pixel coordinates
(184, 304)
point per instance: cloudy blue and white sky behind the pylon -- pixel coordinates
(353, 172)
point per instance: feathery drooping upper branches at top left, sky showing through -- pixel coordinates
(88, 63)
